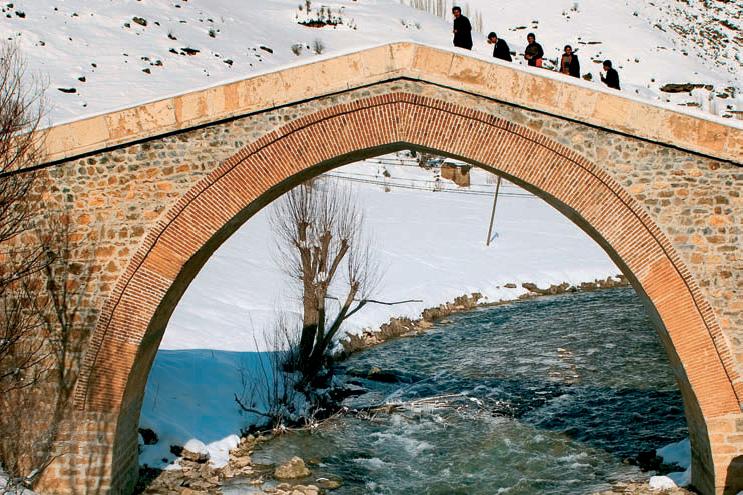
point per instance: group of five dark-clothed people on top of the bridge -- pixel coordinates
(533, 54)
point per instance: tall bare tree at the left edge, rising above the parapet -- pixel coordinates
(21, 111)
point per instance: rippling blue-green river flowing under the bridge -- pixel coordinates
(544, 396)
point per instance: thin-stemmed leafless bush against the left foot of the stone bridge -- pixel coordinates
(53, 329)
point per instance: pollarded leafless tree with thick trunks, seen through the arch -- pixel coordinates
(323, 248)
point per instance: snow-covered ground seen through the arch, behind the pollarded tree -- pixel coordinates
(428, 234)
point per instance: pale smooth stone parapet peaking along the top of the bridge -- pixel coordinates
(534, 89)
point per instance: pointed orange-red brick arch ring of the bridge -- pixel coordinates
(133, 320)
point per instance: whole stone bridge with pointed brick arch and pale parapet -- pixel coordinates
(158, 187)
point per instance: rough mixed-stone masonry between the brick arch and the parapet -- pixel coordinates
(115, 197)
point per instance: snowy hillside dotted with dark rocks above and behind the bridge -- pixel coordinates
(99, 55)
